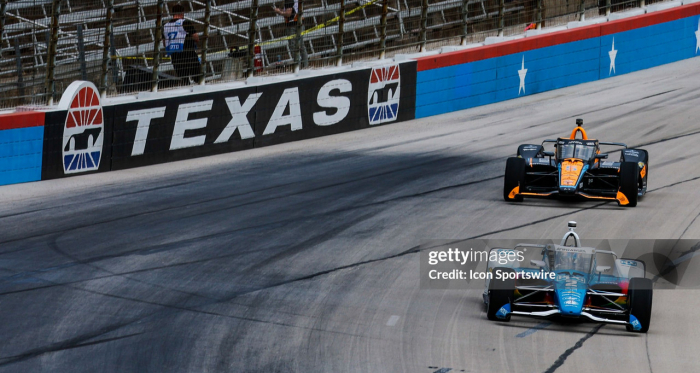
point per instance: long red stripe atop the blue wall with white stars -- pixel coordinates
(548, 40)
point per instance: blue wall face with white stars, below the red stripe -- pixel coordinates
(485, 81)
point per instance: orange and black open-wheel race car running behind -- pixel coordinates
(577, 168)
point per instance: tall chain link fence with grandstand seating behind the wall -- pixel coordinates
(129, 46)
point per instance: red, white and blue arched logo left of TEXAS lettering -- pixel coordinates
(83, 132)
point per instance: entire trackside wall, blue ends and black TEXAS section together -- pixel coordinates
(85, 136)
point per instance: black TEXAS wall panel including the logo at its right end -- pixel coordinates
(201, 124)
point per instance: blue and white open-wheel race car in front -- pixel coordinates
(570, 282)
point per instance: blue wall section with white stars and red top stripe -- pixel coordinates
(493, 73)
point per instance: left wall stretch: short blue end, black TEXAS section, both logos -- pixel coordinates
(85, 136)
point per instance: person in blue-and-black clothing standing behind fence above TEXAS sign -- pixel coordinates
(180, 40)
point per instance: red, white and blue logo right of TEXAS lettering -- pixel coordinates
(383, 94)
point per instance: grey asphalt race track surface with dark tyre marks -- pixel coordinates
(302, 257)
